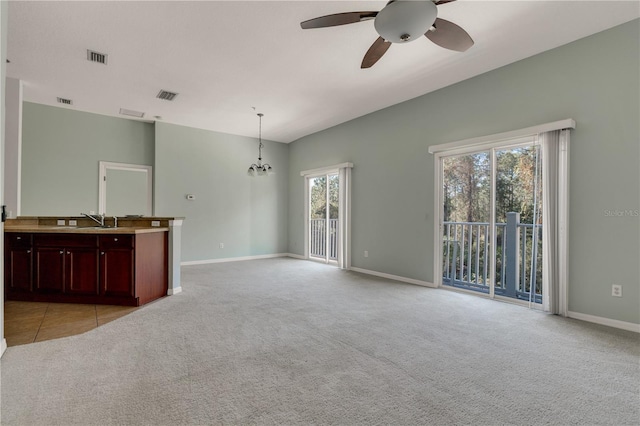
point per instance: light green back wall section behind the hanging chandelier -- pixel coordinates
(247, 214)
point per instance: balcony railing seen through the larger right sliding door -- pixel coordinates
(467, 254)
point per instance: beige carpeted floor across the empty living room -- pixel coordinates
(285, 341)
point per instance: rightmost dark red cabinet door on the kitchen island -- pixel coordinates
(116, 272)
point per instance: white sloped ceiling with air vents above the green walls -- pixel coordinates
(225, 57)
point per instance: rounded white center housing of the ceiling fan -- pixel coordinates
(405, 20)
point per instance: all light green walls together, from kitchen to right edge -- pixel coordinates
(594, 81)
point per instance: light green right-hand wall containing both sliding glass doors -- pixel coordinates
(594, 81)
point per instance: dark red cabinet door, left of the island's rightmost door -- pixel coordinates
(81, 271)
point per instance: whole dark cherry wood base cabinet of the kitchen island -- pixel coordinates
(119, 269)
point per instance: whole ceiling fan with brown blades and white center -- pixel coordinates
(401, 21)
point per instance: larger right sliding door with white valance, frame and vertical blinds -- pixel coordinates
(473, 247)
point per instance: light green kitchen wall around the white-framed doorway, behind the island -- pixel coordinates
(61, 149)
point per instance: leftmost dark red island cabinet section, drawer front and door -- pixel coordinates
(18, 263)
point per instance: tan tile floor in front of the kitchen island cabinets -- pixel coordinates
(29, 322)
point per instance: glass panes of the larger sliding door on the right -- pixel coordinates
(491, 221)
